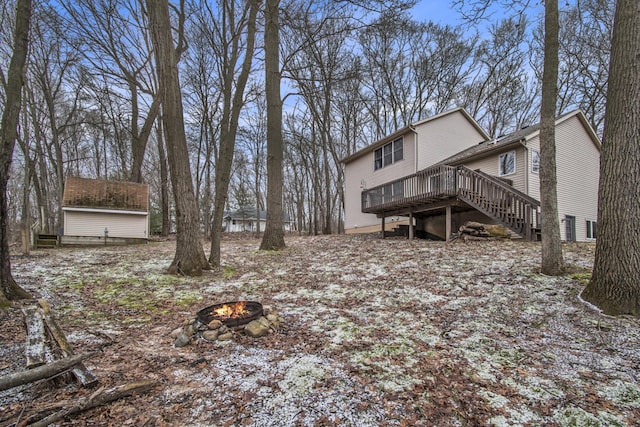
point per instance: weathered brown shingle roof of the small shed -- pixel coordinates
(103, 194)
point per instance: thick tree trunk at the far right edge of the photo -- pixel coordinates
(614, 286)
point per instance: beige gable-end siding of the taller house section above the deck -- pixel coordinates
(444, 137)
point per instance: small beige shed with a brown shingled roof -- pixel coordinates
(98, 211)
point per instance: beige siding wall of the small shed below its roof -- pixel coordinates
(80, 223)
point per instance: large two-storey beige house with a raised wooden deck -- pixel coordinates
(446, 178)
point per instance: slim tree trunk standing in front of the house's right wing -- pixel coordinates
(552, 261)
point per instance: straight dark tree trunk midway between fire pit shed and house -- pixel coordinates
(273, 238)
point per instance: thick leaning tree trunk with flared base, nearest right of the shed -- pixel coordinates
(189, 258)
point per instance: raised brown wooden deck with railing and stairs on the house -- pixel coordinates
(447, 185)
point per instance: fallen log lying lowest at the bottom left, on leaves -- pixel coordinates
(100, 397)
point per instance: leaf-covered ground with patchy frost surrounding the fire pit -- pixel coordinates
(377, 332)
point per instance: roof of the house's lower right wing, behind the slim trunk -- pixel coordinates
(519, 137)
